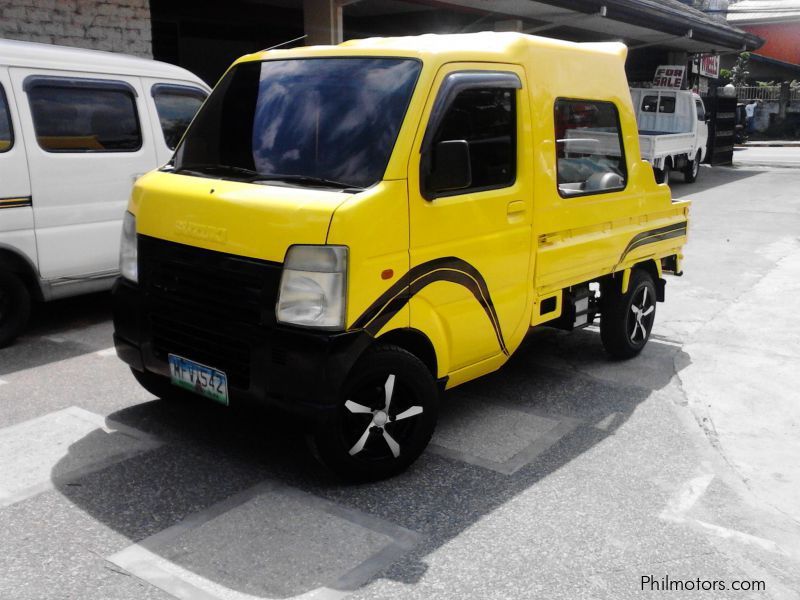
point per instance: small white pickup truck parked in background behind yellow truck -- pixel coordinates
(673, 133)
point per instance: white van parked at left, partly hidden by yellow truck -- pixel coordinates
(77, 128)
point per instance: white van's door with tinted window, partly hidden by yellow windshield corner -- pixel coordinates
(172, 106)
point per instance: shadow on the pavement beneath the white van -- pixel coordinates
(59, 330)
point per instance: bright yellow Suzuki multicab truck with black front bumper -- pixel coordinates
(344, 231)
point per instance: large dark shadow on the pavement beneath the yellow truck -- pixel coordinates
(209, 454)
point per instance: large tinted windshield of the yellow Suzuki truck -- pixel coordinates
(320, 121)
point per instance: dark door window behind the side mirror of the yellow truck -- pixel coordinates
(486, 119)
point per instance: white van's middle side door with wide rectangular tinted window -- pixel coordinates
(87, 138)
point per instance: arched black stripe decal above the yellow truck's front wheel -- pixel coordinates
(450, 269)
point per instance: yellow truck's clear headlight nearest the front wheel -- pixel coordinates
(313, 287)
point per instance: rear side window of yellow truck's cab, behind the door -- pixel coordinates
(589, 148)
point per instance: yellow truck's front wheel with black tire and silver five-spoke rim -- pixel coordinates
(352, 442)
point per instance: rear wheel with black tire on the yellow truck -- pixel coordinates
(622, 331)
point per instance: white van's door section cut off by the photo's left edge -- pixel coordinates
(16, 214)
